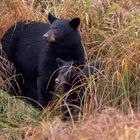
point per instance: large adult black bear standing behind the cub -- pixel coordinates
(33, 48)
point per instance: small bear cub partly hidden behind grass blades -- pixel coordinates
(74, 81)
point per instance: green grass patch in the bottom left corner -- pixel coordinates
(16, 114)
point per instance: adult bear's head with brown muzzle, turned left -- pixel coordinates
(62, 31)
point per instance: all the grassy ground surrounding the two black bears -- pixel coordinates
(110, 32)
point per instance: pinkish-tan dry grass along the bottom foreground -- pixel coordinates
(109, 124)
